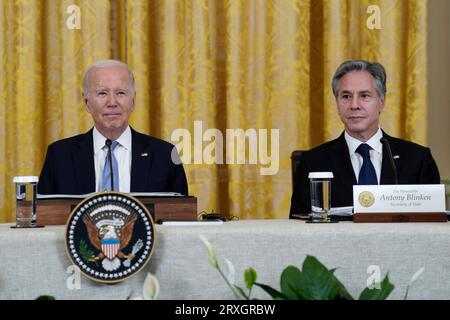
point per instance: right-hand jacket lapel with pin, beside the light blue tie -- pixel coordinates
(140, 162)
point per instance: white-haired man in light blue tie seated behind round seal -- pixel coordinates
(112, 155)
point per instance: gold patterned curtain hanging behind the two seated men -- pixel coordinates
(230, 64)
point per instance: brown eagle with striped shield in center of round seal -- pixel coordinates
(110, 240)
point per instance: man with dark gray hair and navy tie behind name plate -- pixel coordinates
(361, 153)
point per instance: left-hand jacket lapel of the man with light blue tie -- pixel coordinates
(83, 162)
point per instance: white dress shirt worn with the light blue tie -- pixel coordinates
(122, 152)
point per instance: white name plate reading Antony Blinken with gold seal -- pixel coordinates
(409, 198)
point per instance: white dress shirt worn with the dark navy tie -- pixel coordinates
(376, 153)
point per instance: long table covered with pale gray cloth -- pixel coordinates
(33, 262)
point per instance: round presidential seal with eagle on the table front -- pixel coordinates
(110, 236)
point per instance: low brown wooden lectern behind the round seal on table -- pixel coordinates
(57, 211)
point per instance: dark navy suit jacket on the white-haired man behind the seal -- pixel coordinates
(69, 166)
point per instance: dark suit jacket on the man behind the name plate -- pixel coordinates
(414, 164)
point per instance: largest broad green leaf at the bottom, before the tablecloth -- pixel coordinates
(319, 283)
